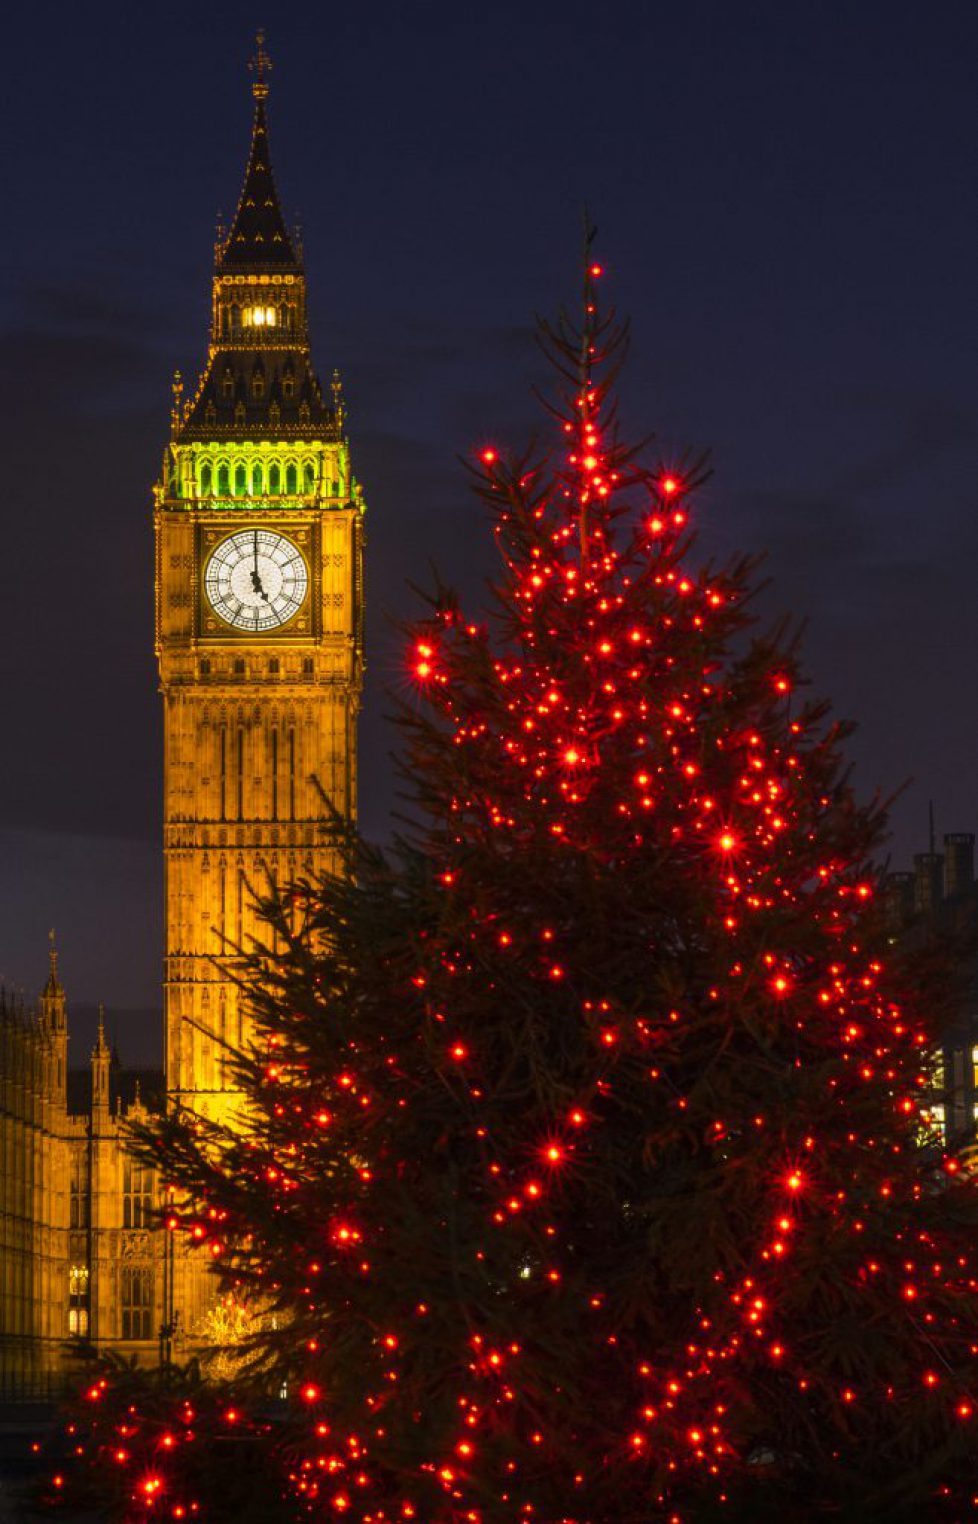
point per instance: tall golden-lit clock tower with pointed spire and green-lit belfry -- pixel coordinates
(260, 624)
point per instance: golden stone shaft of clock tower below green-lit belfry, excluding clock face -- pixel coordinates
(257, 731)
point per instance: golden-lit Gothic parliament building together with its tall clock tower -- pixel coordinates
(260, 641)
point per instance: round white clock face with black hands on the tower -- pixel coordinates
(257, 580)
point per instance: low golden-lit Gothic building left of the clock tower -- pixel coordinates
(80, 1261)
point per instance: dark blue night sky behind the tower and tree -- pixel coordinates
(787, 205)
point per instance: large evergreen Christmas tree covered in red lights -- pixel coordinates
(589, 1176)
